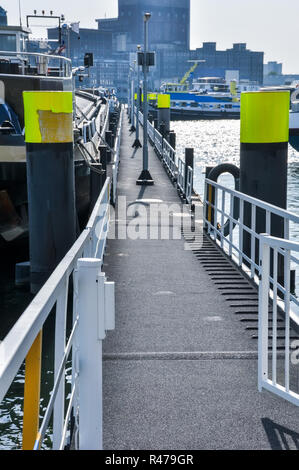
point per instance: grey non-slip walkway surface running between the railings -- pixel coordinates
(180, 369)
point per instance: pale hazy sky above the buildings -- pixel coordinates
(271, 26)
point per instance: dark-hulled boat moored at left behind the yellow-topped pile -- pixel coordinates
(21, 71)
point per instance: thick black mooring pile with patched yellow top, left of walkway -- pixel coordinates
(50, 180)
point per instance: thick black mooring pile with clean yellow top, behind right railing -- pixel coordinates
(264, 158)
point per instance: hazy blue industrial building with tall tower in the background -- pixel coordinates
(115, 40)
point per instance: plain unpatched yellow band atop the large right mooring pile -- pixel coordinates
(265, 117)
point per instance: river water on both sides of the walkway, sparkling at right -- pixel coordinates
(214, 142)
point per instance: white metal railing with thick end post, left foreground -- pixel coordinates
(93, 310)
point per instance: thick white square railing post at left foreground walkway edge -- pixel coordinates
(91, 304)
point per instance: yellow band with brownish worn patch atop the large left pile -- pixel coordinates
(48, 116)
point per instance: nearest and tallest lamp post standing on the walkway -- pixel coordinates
(145, 176)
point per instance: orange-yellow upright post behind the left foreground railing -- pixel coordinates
(32, 394)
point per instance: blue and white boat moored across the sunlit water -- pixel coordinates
(210, 98)
